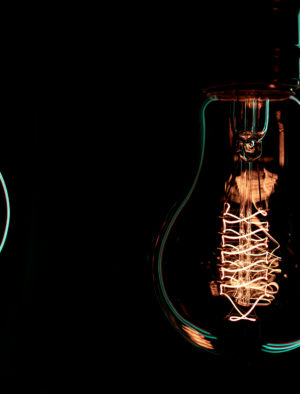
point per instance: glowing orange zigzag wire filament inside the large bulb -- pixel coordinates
(248, 262)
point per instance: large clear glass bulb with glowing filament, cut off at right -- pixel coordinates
(226, 262)
